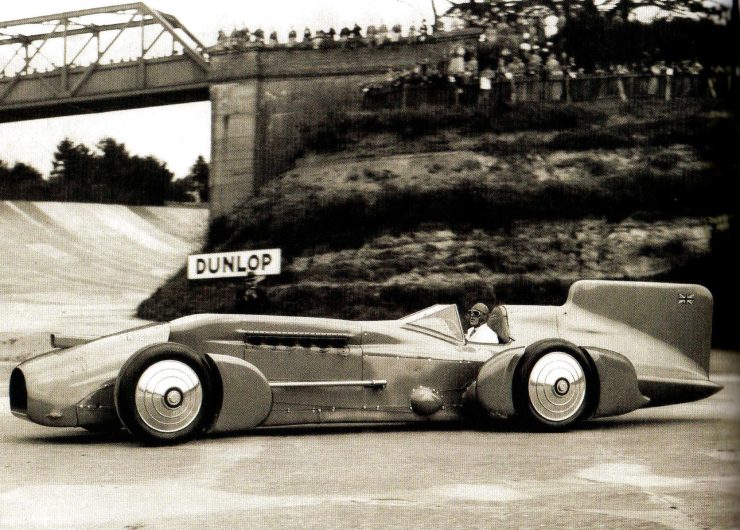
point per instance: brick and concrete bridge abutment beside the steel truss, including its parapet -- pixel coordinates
(264, 99)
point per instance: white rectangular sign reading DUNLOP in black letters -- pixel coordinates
(234, 264)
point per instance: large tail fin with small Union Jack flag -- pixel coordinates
(679, 315)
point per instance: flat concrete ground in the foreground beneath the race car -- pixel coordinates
(671, 467)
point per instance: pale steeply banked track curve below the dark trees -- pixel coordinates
(82, 269)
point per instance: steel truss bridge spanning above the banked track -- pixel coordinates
(94, 60)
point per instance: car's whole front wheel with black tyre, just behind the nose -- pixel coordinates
(166, 394)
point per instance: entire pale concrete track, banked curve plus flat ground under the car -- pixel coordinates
(82, 269)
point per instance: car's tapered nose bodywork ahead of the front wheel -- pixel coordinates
(58, 382)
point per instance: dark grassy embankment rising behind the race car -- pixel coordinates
(387, 213)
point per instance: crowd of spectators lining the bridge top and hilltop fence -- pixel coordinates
(521, 51)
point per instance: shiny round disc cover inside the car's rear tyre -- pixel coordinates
(549, 395)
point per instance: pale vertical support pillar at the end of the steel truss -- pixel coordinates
(234, 144)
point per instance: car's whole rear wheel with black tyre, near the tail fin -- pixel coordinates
(555, 385)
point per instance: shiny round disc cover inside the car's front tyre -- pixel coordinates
(155, 395)
